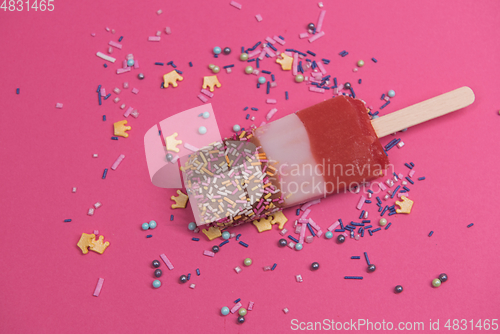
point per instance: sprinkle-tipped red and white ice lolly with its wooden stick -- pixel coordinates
(320, 150)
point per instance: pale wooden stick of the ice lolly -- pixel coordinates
(423, 111)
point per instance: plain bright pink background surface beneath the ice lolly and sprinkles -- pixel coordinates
(424, 48)
